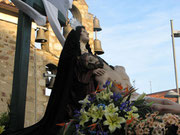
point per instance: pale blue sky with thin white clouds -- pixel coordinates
(136, 34)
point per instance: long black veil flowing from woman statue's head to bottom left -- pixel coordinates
(56, 109)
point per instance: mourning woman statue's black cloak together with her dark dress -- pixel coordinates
(69, 87)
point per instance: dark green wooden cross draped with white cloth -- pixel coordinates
(21, 62)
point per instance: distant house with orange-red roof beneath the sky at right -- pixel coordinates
(161, 94)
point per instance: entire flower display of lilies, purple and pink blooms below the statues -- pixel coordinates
(108, 113)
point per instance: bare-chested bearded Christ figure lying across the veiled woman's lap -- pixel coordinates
(119, 75)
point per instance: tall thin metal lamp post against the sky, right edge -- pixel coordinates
(175, 34)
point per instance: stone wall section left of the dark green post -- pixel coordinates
(7, 49)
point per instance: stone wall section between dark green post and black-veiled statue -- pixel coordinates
(36, 99)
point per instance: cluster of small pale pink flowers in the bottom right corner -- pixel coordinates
(155, 124)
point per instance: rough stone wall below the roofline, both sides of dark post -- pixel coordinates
(37, 61)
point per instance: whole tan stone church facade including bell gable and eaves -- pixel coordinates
(36, 100)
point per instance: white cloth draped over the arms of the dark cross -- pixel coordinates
(51, 8)
